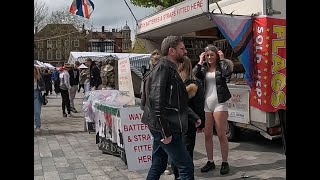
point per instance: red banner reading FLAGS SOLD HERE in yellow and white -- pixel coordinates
(269, 90)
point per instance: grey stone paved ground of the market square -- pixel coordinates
(64, 151)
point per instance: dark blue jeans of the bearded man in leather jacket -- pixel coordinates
(176, 151)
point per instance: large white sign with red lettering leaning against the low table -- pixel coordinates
(137, 139)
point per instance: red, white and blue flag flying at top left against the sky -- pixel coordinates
(82, 8)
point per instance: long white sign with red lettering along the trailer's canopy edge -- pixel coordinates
(178, 12)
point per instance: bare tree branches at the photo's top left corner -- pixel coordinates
(40, 13)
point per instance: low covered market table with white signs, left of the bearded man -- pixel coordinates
(116, 118)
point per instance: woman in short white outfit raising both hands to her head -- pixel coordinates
(214, 71)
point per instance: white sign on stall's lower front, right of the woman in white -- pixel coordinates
(238, 105)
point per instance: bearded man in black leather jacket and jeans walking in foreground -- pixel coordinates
(166, 111)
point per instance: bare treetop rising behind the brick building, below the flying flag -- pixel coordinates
(63, 16)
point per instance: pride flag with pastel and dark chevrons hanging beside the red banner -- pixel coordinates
(238, 31)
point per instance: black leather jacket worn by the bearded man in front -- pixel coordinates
(166, 104)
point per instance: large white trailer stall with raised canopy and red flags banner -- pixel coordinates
(252, 34)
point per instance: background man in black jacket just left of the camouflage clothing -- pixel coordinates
(95, 78)
